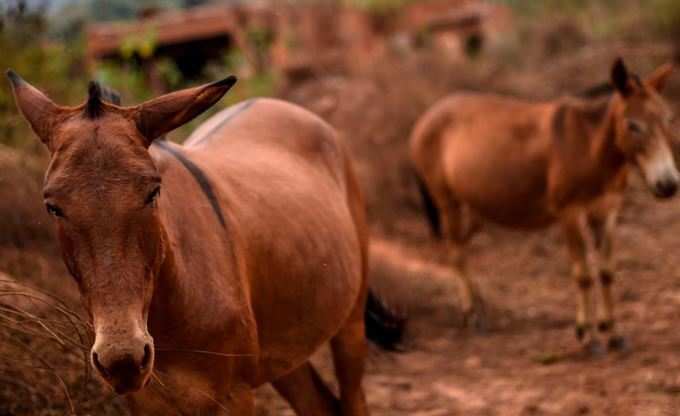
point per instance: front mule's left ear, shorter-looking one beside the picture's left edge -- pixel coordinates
(40, 112)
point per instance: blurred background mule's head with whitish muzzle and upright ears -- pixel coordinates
(643, 127)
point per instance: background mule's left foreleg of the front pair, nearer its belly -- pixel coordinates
(580, 245)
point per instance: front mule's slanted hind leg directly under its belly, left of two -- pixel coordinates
(307, 393)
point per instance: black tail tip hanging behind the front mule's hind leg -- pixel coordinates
(384, 327)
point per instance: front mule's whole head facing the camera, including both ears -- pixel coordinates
(102, 189)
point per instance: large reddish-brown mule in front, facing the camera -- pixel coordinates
(211, 268)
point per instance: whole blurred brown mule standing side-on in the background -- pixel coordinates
(529, 165)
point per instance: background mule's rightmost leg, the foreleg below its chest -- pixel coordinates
(602, 226)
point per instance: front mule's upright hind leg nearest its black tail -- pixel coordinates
(349, 357)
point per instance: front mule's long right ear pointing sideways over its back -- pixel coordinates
(161, 115)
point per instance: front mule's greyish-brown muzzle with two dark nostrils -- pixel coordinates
(126, 370)
